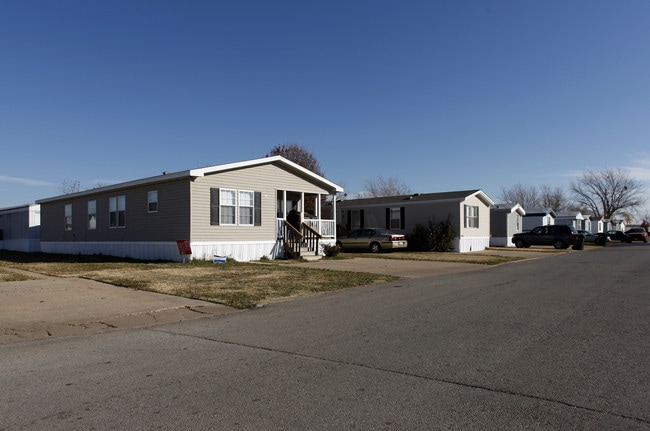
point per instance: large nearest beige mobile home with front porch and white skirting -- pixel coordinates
(238, 210)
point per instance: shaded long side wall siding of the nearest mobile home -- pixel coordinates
(168, 224)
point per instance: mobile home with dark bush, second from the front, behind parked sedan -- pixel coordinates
(468, 210)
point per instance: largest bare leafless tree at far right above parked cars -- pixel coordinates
(608, 192)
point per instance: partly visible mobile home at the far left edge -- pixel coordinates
(20, 228)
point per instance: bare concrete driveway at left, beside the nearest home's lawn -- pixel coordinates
(53, 306)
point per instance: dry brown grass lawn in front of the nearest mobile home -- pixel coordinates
(237, 284)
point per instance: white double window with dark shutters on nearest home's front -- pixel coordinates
(230, 207)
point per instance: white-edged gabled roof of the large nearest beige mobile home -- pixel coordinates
(201, 172)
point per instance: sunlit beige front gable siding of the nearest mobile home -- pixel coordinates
(267, 179)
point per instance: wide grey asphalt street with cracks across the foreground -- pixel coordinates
(554, 343)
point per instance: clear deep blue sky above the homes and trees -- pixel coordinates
(443, 95)
